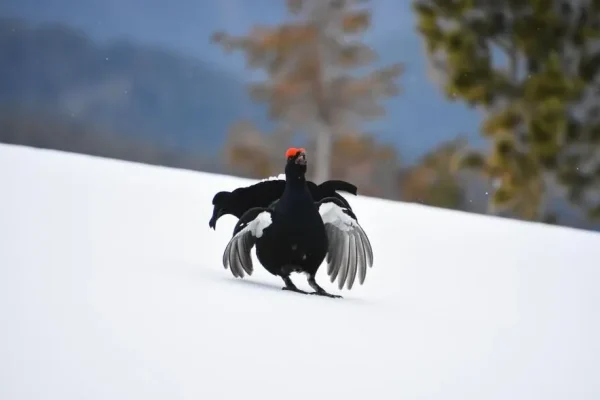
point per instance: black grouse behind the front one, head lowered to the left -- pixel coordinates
(263, 194)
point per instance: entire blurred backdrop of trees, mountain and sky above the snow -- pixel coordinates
(482, 106)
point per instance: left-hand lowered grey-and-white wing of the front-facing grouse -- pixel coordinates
(247, 231)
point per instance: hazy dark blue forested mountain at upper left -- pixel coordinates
(142, 92)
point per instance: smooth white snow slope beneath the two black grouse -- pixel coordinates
(111, 287)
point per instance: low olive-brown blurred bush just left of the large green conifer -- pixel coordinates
(432, 181)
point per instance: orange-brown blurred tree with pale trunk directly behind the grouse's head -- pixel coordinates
(308, 62)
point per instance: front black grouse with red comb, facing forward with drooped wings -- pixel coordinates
(297, 233)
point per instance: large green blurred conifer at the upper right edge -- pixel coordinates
(532, 66)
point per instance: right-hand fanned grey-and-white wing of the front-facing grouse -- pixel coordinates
(349, 252)
